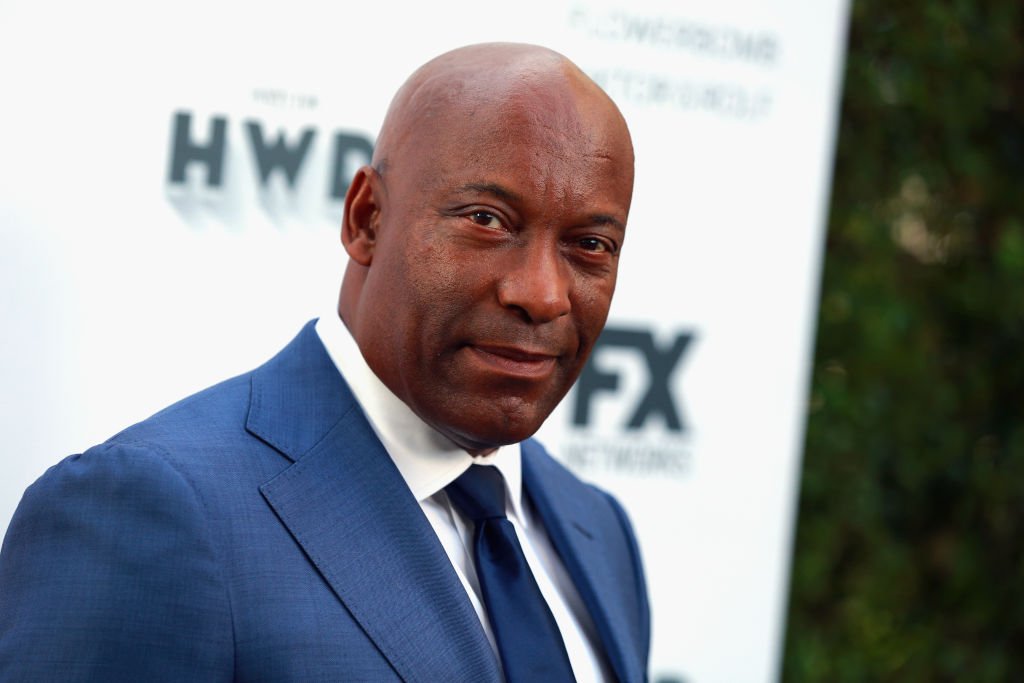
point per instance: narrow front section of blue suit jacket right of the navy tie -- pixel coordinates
(592, 556)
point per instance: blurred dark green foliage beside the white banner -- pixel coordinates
(910, 566)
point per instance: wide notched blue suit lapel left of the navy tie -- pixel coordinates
(346, 503)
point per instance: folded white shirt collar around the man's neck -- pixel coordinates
(428, 460)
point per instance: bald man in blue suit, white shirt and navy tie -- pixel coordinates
(302, 524)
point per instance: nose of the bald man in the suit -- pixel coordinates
(537, 283)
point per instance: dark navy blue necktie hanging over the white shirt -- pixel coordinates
(529, 642)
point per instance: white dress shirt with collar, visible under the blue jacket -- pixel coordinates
(429, 461)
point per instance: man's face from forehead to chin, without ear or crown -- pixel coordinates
(497, 248)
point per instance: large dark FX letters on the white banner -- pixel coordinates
(661, 362)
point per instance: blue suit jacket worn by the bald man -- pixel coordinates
(260, 532)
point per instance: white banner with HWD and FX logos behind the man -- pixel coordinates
(170, 194)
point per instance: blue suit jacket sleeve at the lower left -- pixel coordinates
(108, 573)
